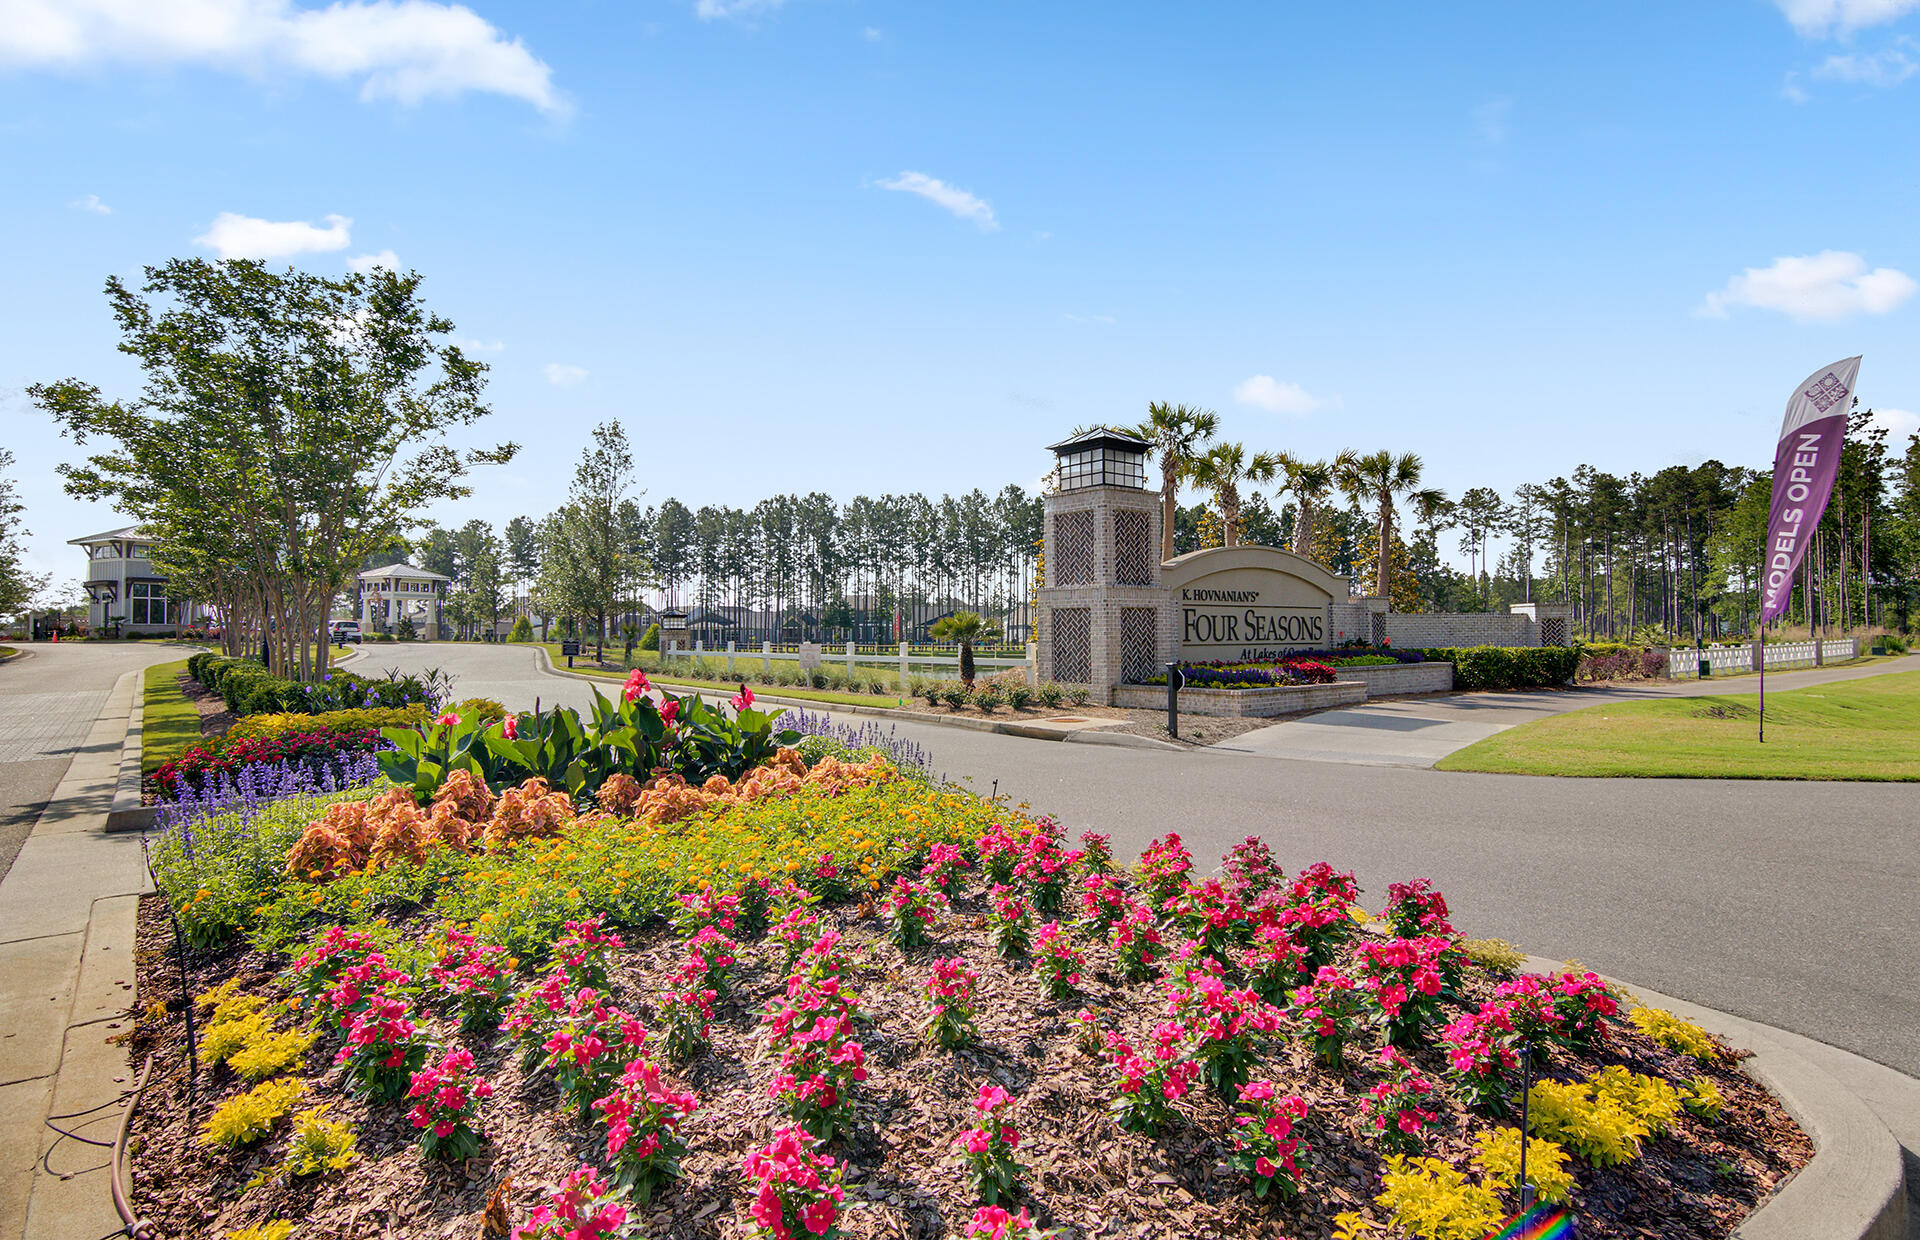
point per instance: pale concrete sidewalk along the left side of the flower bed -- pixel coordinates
(66, 959)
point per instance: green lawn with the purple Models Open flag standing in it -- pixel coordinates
(1846, 730)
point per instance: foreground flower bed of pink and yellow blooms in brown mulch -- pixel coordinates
(713, 1028)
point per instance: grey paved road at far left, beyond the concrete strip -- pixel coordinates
(49, 702)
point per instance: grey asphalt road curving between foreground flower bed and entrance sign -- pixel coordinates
(1796, 905)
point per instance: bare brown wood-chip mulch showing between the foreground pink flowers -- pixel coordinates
(1082, 1172)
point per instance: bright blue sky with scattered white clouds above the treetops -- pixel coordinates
(884, 247)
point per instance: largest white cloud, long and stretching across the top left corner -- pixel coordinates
(406, 51)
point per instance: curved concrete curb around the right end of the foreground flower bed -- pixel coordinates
(1856, 1187)
